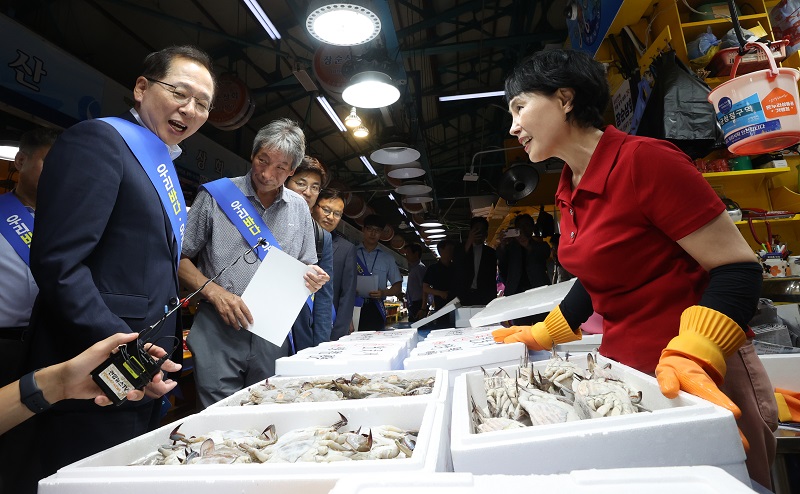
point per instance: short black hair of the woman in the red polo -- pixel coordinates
(545, 72)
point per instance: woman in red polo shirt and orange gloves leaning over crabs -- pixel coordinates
(651, 244)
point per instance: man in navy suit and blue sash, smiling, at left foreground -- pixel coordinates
(108, 236)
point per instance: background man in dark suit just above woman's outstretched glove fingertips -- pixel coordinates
(476, 265)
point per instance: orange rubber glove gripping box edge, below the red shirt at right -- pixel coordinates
(694, 361)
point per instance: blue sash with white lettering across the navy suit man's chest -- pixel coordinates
(152, 154)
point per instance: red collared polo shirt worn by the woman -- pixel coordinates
(619, 229)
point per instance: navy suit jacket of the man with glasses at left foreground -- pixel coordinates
(103, 252)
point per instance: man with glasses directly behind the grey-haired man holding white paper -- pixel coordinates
(313, 325)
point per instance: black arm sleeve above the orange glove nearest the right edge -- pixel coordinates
(734, 290)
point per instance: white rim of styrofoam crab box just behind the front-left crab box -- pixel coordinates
(439, 393)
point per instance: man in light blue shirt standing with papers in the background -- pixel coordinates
(372, 261)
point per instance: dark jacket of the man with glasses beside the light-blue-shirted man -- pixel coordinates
(344, 285)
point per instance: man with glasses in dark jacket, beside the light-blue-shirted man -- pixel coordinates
(328, 212)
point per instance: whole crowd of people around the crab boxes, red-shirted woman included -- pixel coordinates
(114, 242)
